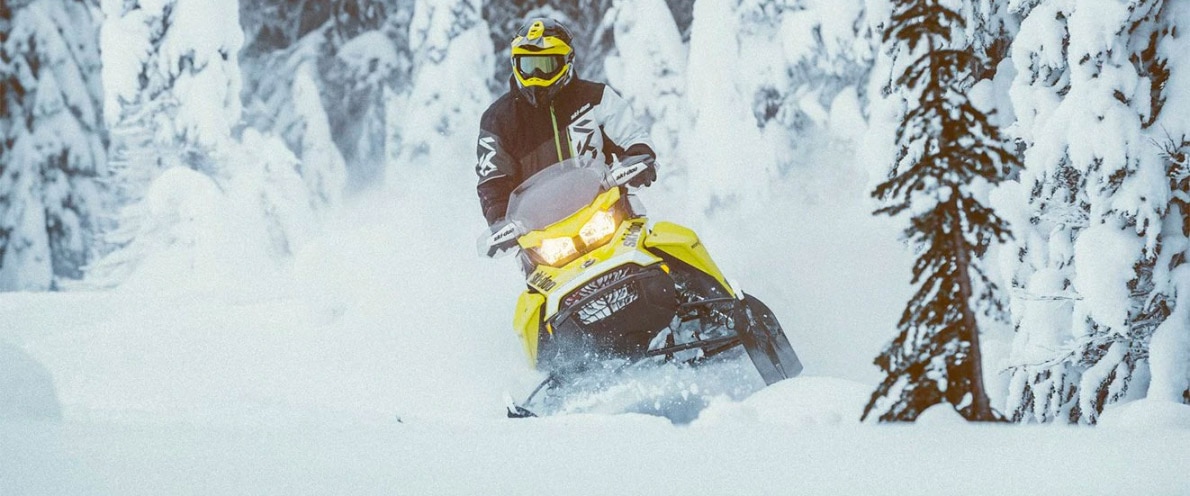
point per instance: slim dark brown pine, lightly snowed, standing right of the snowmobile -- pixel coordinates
(945, 148)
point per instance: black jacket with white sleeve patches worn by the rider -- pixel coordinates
(518, 140)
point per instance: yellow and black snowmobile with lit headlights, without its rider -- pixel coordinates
(606, 285)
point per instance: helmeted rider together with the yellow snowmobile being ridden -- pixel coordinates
(606, 288)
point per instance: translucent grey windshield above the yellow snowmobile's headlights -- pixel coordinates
(558, 192)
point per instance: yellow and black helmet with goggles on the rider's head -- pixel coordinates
(543, 60)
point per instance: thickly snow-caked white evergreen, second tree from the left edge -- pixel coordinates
(172, 79)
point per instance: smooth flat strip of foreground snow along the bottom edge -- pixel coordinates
(755, 448)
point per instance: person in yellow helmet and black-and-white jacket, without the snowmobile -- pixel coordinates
(549, 116)
